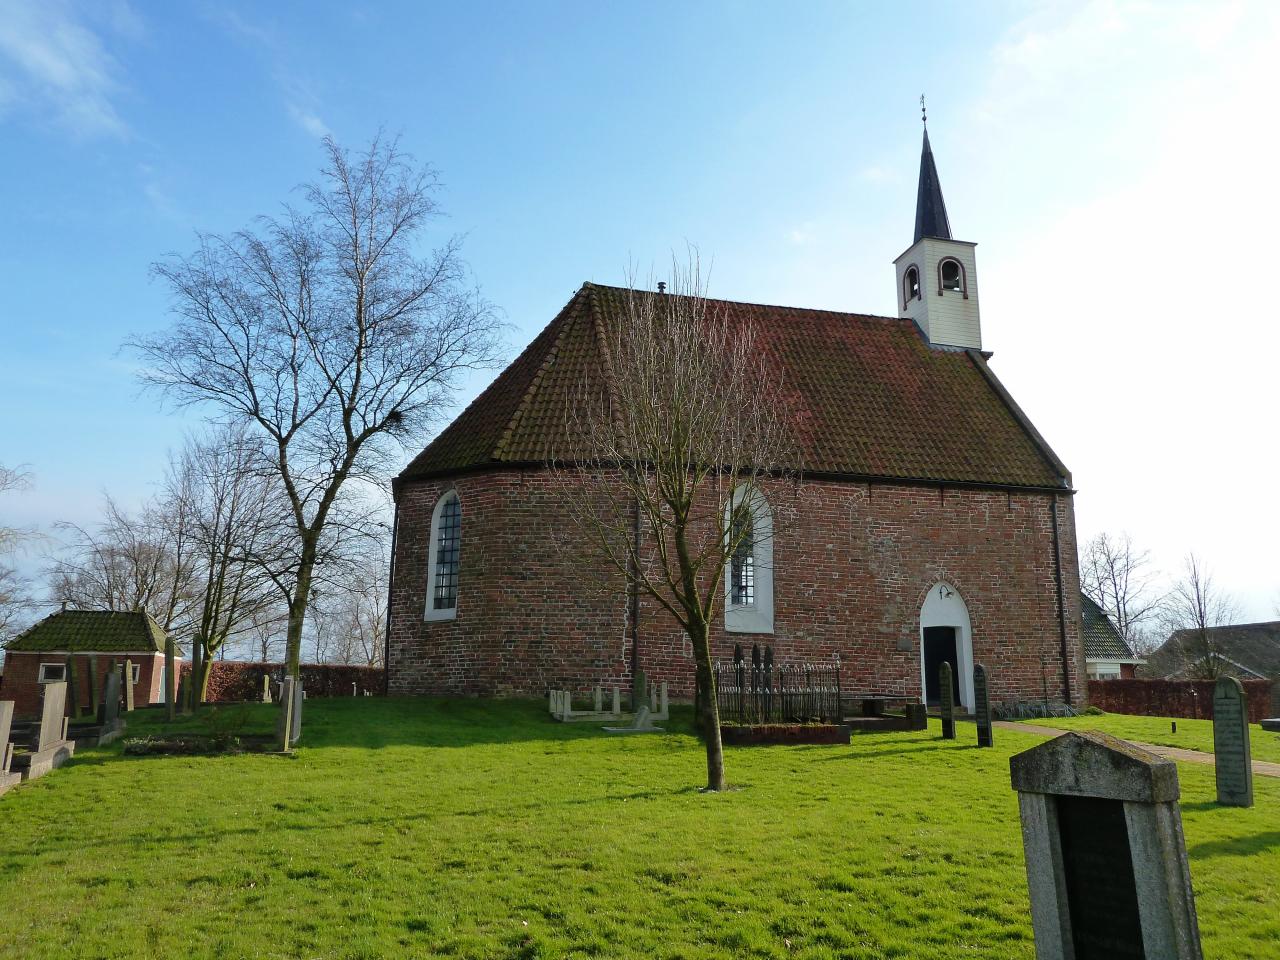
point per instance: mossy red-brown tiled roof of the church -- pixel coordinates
(877, 400)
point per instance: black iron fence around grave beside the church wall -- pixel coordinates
(764, 692)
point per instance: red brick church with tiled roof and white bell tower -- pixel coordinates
(931, 523)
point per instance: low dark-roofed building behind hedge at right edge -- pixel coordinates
(1242, 651)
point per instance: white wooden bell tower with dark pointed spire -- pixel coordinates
(938, 277)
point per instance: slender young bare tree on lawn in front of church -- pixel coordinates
(674, 449)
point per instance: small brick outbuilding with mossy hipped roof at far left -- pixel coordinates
(93, 641)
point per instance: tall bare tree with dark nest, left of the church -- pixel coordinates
(326, 332)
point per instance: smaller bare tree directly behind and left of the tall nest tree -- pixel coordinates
(228, 495)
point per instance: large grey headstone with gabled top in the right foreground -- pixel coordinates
(1107, 861)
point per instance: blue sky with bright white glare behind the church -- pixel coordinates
(1113, 162)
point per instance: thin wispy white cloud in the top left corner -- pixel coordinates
(53, 65)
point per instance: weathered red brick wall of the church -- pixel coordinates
(853, 564)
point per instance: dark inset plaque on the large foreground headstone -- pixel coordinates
(1101, 892)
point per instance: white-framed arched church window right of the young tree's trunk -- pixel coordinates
(749, 575)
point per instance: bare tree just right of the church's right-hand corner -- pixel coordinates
(1119, 578)
